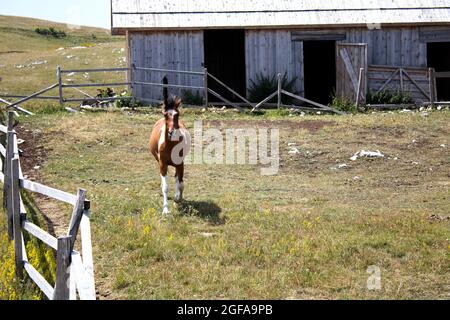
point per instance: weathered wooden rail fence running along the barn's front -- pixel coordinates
(421, 80)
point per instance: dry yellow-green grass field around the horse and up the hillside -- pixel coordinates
(309, 232)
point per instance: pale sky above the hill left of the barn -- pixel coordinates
(95, 13)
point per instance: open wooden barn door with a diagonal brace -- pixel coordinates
(350, 58)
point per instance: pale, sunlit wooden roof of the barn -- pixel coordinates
(196, 14)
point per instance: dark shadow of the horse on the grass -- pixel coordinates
(206, 210)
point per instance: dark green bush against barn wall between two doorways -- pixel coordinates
(264, 86)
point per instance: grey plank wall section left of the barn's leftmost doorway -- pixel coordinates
(181, 50)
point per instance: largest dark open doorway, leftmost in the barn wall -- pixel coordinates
(225, 59)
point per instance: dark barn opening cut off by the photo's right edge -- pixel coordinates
(439, 59)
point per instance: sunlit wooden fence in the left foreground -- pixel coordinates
(74, 271)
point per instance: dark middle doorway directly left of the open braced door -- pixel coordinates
(319, 70)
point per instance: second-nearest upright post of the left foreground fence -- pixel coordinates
(17, 219)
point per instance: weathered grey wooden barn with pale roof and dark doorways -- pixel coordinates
(327, 46)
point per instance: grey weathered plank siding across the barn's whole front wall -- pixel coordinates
(272, 51)
